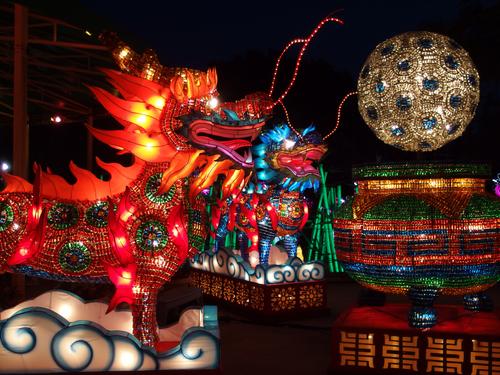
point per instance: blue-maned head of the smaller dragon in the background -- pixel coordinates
(287, 158)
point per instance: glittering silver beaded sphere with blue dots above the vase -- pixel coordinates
(418, 91)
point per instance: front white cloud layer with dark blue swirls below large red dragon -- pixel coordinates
(39, 340)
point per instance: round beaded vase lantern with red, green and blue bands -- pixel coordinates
(422, 230)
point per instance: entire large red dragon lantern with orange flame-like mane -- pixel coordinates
(136, 229)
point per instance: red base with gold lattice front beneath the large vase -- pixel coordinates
(378, 340)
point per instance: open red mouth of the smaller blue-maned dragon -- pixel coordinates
(300, 162)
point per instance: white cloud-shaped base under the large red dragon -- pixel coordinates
(59, 332)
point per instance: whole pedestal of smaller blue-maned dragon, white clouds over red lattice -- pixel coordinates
(291, 288)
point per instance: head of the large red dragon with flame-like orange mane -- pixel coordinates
(180, 122)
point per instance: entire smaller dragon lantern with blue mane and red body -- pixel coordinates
(273, 204)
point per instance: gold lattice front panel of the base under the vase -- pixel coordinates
(375, 352)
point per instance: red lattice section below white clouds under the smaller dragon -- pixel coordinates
(267, 300)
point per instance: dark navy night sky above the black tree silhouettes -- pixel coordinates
(195, 33)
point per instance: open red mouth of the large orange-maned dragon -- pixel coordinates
(232, 141)
